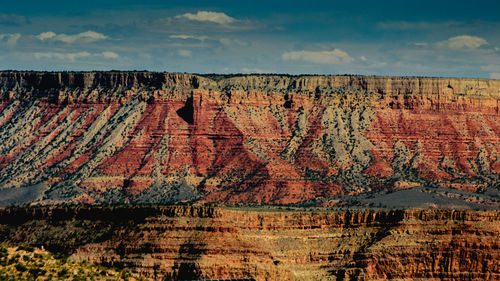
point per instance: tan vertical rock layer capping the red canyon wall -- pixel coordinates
(13, 84)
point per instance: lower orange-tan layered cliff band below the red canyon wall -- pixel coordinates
(202, 243)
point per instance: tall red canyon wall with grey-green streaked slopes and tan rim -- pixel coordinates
(162, 137)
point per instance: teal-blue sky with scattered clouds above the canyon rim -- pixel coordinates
(400, 38)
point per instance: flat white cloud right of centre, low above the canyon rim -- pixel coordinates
(335, 56)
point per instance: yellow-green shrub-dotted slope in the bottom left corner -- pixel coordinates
(25, 262)
